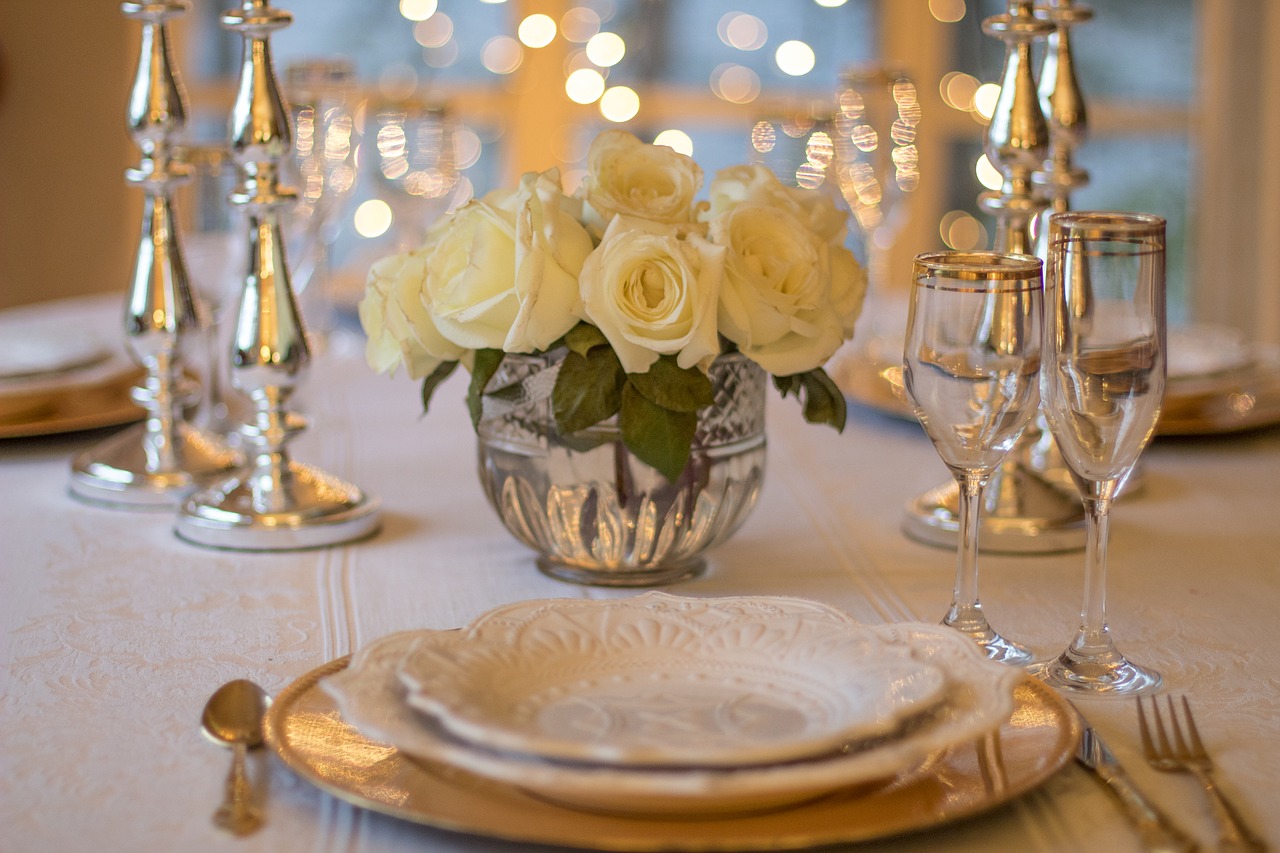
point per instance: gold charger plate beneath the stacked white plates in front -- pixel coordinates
(305, 729)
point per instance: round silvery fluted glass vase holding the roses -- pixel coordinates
(593, 512)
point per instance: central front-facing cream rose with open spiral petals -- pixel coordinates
(652, 290)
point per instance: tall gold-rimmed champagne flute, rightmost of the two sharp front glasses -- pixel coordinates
(1103, 387)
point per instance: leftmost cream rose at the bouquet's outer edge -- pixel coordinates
(399, 326)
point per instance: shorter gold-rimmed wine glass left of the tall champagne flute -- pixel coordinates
(971, 366)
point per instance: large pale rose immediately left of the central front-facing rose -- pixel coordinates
(504, 271)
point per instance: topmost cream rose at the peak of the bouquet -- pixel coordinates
(633, 179)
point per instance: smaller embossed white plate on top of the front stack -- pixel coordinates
(662, 681)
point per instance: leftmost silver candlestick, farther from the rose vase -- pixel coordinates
(164, 459)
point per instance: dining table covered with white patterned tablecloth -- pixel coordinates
(115, 632)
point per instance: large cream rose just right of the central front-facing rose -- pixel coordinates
(778, 298)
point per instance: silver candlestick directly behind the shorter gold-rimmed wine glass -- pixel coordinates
(1028, 505)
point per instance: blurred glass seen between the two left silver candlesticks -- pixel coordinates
(213, 245)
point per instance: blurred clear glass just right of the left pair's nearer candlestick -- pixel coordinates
(327, 110)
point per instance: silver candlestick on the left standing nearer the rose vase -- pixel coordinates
(280, 504)
